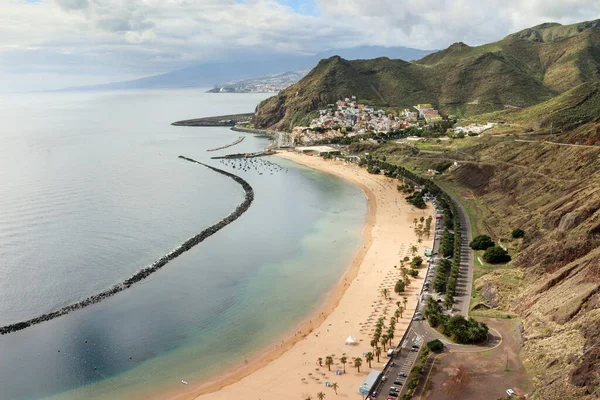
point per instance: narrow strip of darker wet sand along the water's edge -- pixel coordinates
(308, 324)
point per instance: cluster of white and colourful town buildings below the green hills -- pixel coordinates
(348, 118)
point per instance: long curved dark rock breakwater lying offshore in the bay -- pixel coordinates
(156, 265)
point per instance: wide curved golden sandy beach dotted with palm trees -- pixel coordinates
(290, 368)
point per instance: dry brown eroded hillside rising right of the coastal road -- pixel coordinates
(552, 284)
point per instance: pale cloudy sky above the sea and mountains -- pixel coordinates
(47, 44)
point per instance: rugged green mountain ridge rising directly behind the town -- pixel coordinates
(523, 69)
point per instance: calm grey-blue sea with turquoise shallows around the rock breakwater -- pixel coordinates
(91, 190)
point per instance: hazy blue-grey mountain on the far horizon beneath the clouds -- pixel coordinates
(247, 65)
